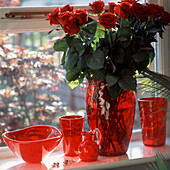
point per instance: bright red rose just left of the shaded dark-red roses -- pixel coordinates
(123, 10)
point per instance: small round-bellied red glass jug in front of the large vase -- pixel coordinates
(88, 149)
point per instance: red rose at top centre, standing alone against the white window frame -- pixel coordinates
(97, 6)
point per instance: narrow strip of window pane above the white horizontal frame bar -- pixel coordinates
(25, 3)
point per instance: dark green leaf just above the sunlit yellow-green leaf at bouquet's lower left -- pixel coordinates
(72, 74)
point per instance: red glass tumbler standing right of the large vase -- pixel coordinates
(153, 120)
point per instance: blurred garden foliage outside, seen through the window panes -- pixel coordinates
(33, 89)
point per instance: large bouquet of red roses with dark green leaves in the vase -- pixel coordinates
(110, 43)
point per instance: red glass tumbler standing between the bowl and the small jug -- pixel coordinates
(71, 129)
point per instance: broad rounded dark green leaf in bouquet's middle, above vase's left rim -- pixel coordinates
(96, 60)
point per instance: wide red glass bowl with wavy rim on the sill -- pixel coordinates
(34, 143)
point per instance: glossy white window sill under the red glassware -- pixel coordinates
(136, 154)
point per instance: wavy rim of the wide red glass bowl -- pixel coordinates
(27, 141)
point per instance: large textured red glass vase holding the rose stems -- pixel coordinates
(114, 119)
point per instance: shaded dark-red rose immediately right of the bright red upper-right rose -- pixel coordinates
(140, 11)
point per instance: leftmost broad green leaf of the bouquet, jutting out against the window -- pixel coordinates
(61, 45)
